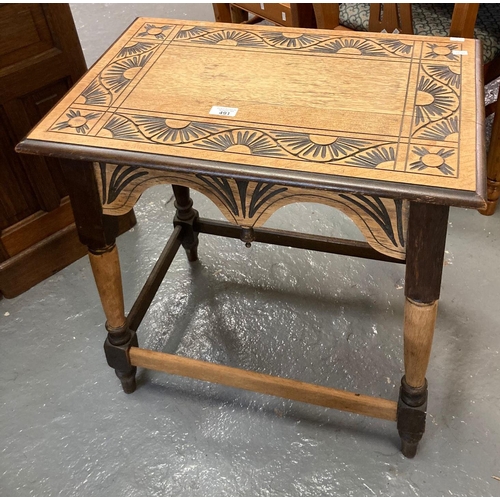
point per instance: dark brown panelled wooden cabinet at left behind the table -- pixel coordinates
(40, 59)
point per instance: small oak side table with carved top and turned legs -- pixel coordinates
(388, 129)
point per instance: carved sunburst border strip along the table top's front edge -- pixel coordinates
(332, 149)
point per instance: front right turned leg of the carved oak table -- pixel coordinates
(427, 228)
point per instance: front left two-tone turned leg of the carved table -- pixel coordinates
(99, 232)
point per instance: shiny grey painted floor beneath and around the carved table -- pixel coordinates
(67, 428)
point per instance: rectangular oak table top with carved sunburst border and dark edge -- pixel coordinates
(396, 115)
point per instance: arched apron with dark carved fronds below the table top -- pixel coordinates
(382, 221)
